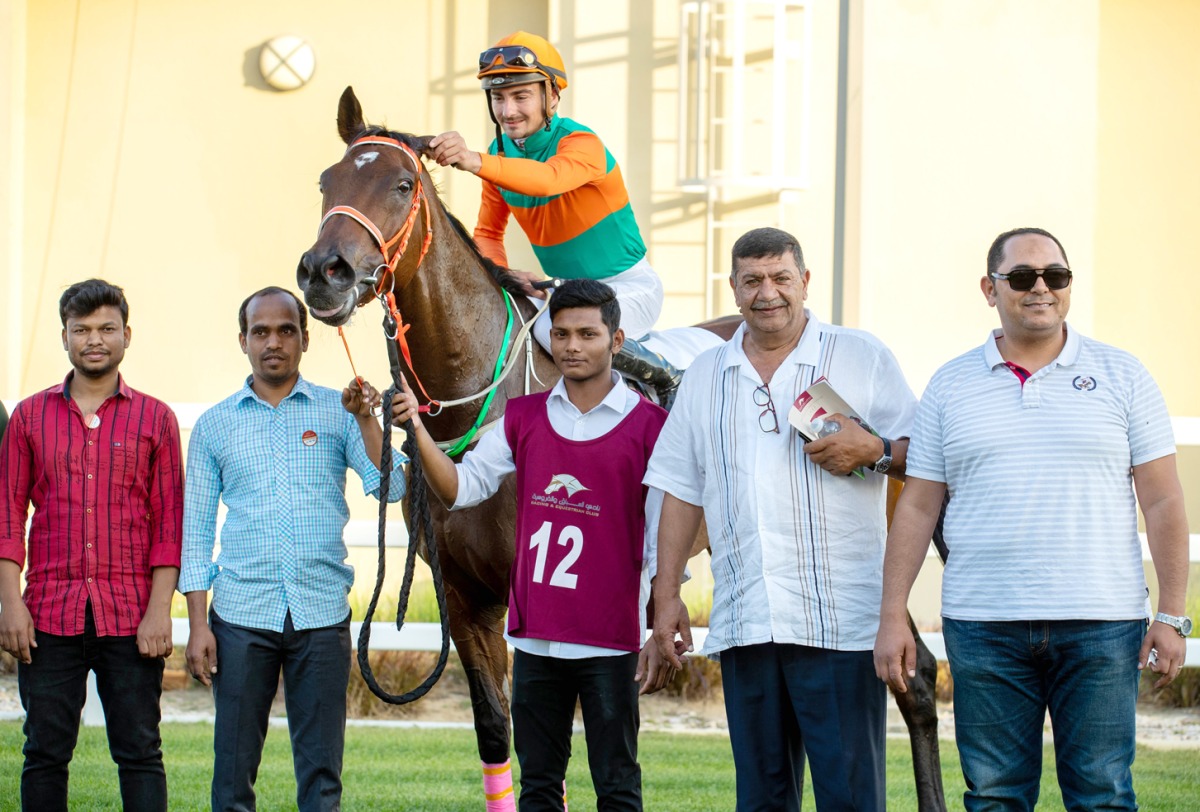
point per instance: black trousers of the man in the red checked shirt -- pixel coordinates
(53, 689)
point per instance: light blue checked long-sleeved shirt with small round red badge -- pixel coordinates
(281, 474)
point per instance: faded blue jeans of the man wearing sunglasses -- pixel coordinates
(1007, 675)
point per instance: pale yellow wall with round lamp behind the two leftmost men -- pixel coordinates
(155, 157)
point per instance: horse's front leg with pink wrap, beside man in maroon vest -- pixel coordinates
(479, 641)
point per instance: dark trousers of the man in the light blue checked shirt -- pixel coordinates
(316, 666)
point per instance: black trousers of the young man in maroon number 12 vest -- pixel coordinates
(544, 695)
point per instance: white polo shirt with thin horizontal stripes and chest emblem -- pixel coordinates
(1042, 522)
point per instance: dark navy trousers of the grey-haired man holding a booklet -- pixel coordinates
(784, 702)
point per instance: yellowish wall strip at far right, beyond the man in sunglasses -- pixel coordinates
(1149, 190)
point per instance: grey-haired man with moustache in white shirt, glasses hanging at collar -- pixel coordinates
(797, 542)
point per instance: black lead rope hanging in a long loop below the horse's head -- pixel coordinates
(419, 526)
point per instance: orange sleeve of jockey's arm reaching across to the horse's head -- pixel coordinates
(579, 161)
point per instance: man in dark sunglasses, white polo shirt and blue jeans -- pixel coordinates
(1041, 438)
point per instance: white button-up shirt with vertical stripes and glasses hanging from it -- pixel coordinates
(797, 552)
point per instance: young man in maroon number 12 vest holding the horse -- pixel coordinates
(580, 579)
